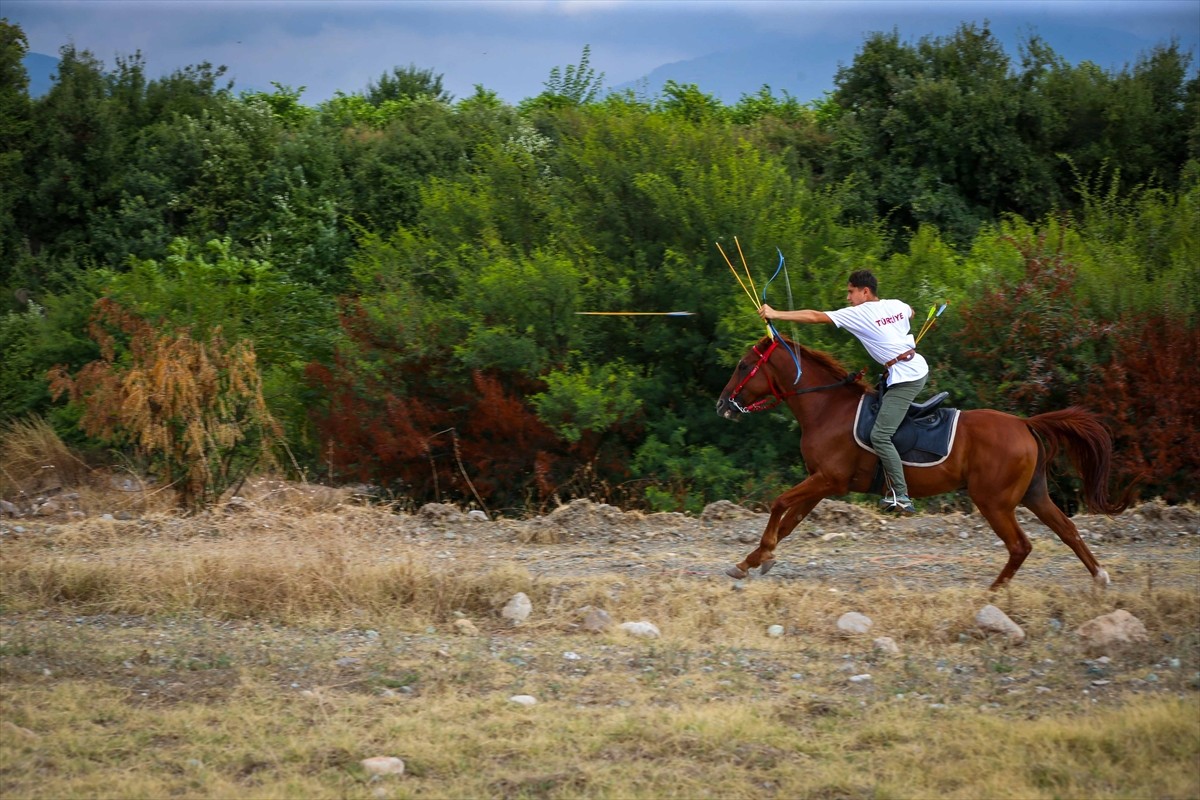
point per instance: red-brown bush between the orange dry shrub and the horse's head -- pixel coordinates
(419, 424)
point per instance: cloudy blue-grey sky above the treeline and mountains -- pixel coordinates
(511, 46)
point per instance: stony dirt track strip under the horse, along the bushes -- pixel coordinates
(838, 544)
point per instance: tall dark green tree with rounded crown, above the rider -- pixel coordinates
(933, 134)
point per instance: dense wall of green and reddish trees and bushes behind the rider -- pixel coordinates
(407, 270)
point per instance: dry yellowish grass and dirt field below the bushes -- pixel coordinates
(266, 649)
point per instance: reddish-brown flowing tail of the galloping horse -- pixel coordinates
(1089, 446)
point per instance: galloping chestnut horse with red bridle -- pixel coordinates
(1000, 459)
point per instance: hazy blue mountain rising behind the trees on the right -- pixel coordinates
(807, 69)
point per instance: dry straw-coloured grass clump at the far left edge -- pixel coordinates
(35, 460)
